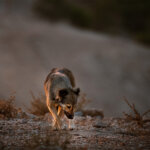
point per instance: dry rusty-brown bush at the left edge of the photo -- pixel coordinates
(7, 108)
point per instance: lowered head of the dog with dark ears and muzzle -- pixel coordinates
(68, 101)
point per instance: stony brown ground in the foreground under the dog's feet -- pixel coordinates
(32, 132)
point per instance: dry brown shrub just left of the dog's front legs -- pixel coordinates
(38, 105)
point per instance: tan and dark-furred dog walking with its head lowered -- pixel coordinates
(61, 95)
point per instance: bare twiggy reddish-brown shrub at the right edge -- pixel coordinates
(136, 116)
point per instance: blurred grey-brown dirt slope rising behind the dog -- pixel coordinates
(106, 68)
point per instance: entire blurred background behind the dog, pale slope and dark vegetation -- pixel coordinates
(105, 43)
